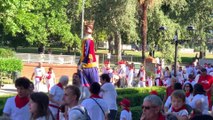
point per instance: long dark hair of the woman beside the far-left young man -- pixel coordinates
(42, 101)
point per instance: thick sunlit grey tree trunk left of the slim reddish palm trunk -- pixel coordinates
(118, 45)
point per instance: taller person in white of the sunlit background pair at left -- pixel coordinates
(38, 75)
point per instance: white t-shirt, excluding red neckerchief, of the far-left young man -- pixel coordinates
(14, 112)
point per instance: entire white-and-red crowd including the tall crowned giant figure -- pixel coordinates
(90, 97)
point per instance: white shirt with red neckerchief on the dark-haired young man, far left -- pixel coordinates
(17, 108)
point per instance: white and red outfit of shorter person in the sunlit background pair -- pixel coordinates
(50, 80)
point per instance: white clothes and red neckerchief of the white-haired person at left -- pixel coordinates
(57, 92)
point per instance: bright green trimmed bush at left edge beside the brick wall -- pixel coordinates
(10, 64)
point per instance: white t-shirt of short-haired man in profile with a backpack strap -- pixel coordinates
(75, 114)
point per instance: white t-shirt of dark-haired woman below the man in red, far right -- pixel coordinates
(203, 99)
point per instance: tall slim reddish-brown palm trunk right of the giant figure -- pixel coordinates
(144, 29)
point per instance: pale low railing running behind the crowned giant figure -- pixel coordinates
(69, 59)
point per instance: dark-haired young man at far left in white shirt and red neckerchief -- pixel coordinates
(17, 107)
